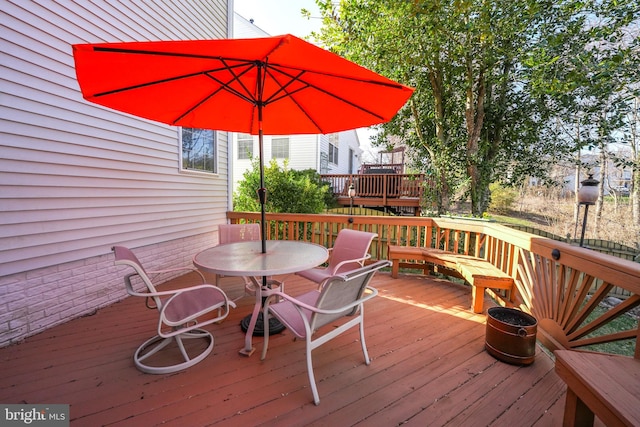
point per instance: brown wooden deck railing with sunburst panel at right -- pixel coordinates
(561, 285)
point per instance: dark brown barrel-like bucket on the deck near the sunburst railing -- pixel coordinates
(511, 335)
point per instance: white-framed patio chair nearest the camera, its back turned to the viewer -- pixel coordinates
(340, 296)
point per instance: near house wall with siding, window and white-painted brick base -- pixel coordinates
(76, 178)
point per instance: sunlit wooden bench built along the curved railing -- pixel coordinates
(479, 273)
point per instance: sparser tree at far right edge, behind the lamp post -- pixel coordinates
(591, 79)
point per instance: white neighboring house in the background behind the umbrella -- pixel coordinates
(337, 153)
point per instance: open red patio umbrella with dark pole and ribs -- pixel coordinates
(275, 85)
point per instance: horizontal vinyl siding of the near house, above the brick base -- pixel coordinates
(76, 177)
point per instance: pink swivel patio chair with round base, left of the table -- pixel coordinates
(182, 313)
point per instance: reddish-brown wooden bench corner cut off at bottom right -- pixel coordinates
(606, 385)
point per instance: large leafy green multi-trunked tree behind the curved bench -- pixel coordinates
(485, 100)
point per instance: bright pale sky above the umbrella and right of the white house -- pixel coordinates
(278, 17)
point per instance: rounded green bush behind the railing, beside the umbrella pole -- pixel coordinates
(287, 190)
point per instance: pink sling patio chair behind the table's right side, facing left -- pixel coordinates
(349, 252)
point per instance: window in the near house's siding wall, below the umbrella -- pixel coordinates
(199, 150)
